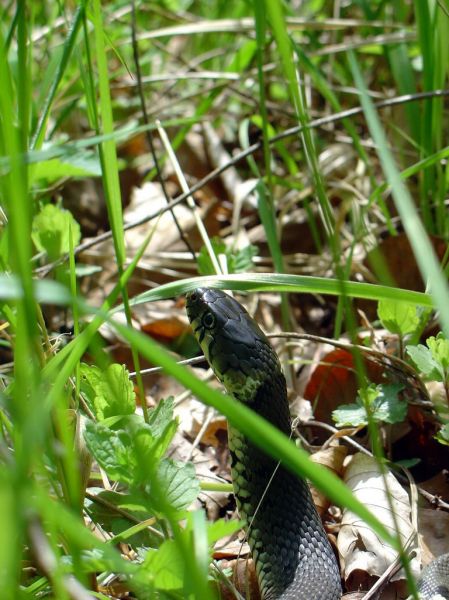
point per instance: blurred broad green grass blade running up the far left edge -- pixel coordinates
(14, 194)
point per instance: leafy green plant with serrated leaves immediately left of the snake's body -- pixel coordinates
(131, 452)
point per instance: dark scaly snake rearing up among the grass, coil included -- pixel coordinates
(292, 554)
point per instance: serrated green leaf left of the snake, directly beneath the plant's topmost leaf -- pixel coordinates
(113, 450)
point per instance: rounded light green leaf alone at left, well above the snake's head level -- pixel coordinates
(50, 231)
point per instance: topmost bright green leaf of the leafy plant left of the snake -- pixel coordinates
(110, 391)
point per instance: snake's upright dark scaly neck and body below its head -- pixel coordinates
(292, 555)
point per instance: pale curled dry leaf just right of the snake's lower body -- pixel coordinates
(361, 549)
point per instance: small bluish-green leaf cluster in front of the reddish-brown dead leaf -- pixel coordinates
(379, 403)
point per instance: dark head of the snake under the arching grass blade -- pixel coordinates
(233, 344)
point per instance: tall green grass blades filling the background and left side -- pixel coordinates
(59, 66)
